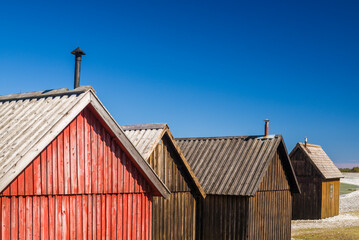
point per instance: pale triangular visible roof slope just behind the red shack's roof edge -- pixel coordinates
(145, 137)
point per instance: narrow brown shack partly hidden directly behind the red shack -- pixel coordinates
(173, 218)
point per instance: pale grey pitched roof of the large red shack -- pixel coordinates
(30, 121)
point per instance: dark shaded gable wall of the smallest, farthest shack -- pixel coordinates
(308, 204)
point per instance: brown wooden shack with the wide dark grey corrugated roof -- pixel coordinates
(249, 182)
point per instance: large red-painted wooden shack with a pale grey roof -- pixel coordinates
(67, 170)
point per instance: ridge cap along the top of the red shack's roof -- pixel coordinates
(46, 93)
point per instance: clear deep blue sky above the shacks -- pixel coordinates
(210, 68)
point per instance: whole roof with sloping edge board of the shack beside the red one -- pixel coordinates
(146, 137)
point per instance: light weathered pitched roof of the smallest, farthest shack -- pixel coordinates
(320, 160)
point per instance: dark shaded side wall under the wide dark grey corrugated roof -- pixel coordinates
(222, 217)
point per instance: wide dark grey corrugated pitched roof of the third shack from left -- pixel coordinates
(232, 165)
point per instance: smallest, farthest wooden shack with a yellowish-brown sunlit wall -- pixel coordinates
(319, 180)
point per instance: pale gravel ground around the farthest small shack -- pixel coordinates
(347, 203)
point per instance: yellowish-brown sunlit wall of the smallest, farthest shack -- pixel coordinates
(330, 205)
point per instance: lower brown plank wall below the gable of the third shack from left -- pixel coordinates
(270, 216)
